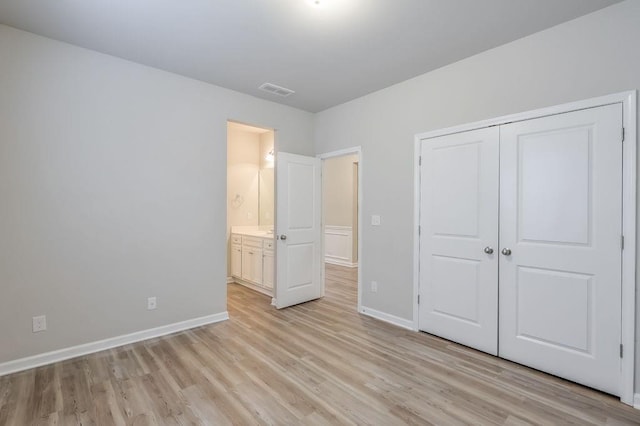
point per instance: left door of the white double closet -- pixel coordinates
(459, 220)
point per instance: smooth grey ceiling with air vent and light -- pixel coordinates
(327, 54)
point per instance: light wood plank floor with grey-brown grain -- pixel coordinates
(315, 363)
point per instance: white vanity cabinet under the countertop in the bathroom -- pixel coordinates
(252, 262)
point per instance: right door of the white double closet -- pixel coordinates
(560, 216)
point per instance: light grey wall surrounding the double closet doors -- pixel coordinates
(591, 56)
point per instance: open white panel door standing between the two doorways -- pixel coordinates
(298, 209)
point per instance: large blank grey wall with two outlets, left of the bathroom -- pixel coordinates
(113, 188)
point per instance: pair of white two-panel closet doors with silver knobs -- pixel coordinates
(520, 247)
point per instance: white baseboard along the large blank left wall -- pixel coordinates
(100, 345)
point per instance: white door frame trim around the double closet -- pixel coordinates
(628, 100)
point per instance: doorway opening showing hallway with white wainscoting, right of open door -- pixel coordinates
(341, 199)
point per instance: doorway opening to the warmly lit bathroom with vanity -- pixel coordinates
(250, 207)
